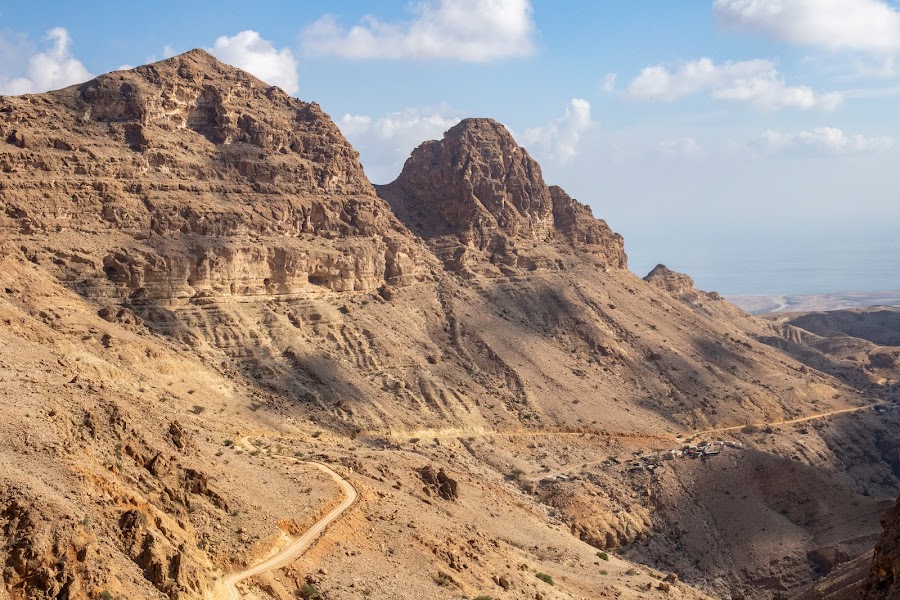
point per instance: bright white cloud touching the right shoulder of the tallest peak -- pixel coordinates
(250, 52)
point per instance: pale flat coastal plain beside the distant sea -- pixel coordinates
(758, 305)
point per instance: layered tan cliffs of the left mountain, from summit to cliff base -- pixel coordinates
(201, 180)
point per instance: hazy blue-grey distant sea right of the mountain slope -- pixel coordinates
(817, 267)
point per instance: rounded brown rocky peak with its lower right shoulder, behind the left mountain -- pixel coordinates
(478, 197)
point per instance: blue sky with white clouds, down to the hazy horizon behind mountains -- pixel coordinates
(750, 143)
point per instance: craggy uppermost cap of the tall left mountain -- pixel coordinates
(226, 107)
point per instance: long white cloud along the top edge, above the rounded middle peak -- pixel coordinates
(465, 30)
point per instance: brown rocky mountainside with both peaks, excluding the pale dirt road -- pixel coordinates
(197, 279)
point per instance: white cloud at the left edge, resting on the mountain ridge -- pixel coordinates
(49, 70)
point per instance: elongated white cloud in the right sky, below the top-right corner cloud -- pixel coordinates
(754, 81)
